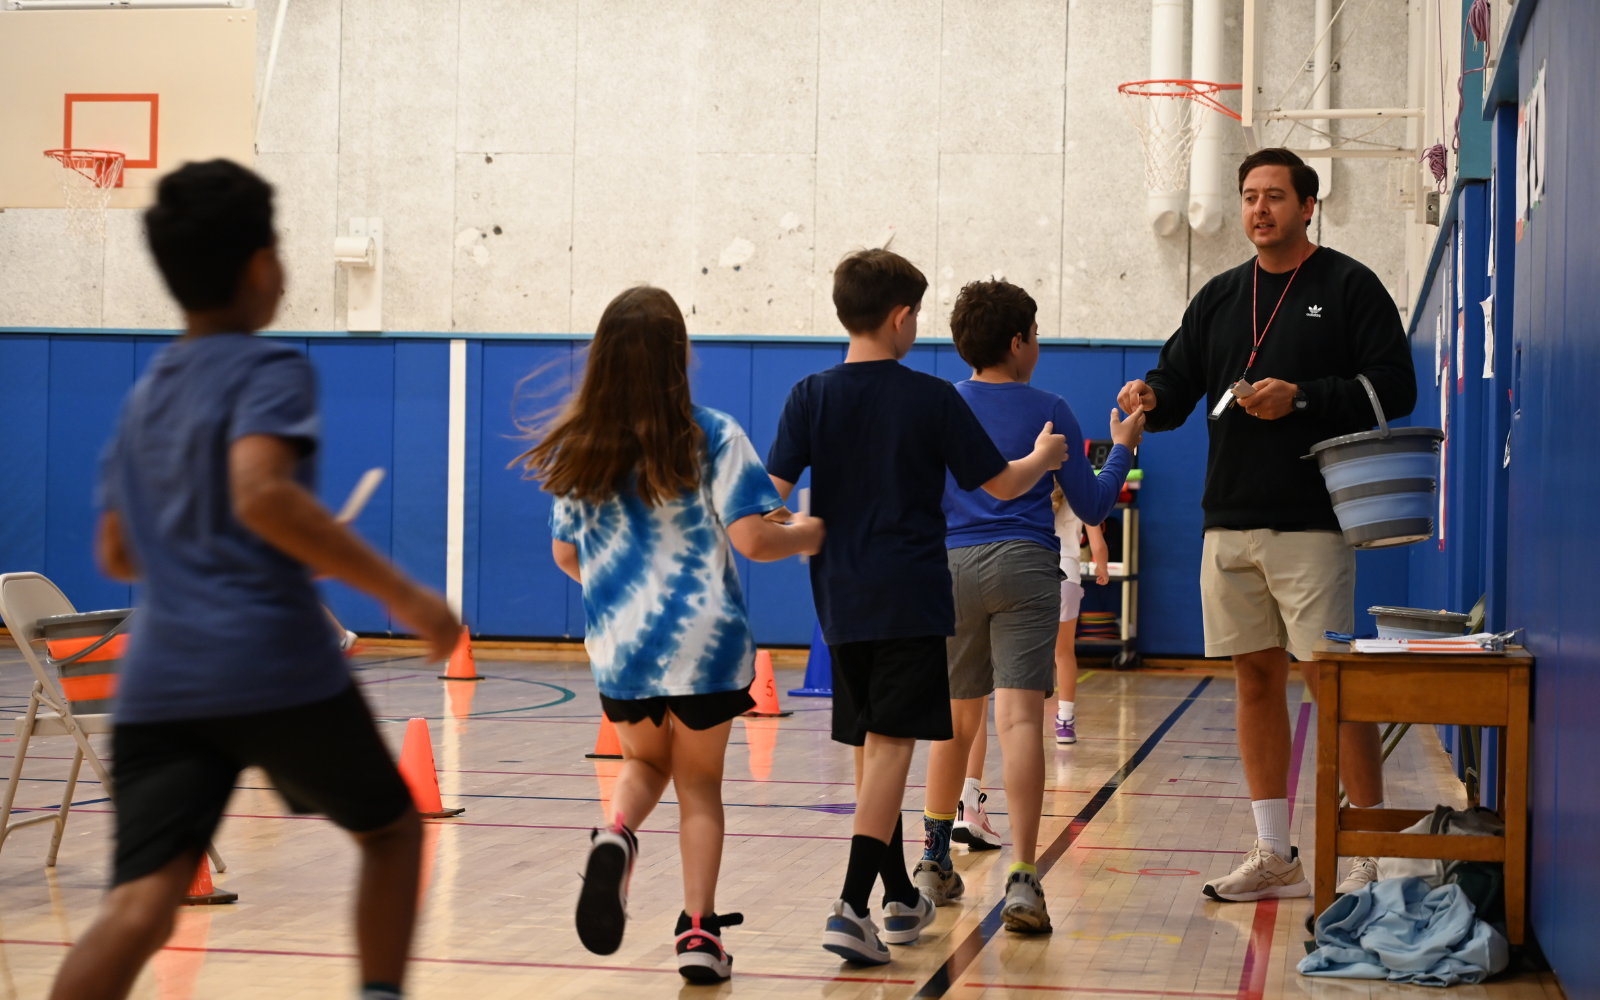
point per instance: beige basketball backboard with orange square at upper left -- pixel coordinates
(162, 87)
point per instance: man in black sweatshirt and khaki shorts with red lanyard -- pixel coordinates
(1274, 348)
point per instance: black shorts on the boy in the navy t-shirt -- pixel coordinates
(892, 687)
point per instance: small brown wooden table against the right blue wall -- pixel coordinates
(1489, 690)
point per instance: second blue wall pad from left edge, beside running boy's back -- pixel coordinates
(89, 380)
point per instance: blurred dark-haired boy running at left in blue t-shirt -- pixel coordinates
(207, 500)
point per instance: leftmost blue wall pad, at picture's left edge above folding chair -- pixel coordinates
(25, 415)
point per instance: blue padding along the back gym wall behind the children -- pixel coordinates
(386, 404)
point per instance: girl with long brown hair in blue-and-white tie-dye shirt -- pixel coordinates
(652, 492)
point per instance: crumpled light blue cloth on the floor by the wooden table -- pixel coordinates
(1404, 932)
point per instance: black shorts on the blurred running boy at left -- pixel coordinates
(174, 778)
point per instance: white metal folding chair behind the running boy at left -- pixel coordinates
(25, 599)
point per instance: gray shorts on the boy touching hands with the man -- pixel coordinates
(1007, 615)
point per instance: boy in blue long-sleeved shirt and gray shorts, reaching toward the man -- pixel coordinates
(1006, 564)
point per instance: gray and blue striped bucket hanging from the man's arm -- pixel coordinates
(1385, 484)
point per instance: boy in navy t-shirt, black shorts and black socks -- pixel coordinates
(881, 439)
